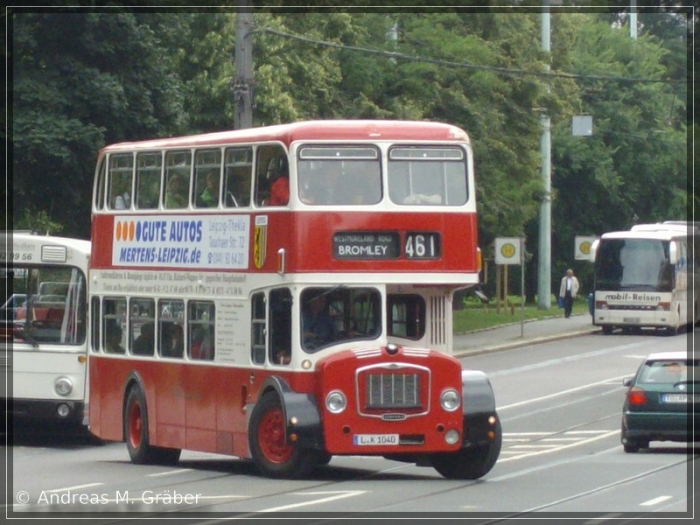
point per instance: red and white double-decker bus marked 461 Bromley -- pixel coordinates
(284, 294)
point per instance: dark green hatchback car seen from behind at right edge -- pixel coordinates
(662, 402)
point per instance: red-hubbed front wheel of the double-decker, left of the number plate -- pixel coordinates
(272, 454)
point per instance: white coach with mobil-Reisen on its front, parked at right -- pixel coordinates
(647, 277)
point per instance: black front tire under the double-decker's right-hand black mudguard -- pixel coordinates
(469, 463)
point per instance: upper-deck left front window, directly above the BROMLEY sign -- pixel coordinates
(339, 175)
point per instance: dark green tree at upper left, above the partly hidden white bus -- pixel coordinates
(81, 80)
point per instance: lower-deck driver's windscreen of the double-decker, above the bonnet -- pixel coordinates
(334, 315)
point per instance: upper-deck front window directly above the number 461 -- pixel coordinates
(434, 176)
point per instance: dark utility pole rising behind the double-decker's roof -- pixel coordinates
(243, 62)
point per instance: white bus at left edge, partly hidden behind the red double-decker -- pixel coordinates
(43, 331)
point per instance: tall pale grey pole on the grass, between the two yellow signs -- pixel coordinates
(544, 273)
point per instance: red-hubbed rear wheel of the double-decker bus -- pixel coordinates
(136, 434)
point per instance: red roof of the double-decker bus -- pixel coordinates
(335, 130)
